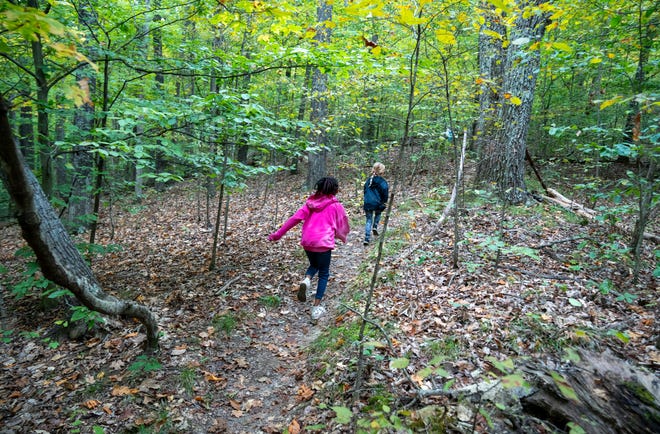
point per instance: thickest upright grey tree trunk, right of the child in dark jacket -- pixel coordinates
(504, 145)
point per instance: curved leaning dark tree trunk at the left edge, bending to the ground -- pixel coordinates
(56, 253)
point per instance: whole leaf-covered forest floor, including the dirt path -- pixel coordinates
(239, 354)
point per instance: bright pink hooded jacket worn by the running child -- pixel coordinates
(324, 220)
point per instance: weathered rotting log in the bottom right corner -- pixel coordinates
(610, 396)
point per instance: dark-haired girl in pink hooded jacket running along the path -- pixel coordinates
(324, 219)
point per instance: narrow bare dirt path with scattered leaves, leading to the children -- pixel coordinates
(265, 390)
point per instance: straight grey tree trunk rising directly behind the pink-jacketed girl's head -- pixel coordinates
(319, 101)
